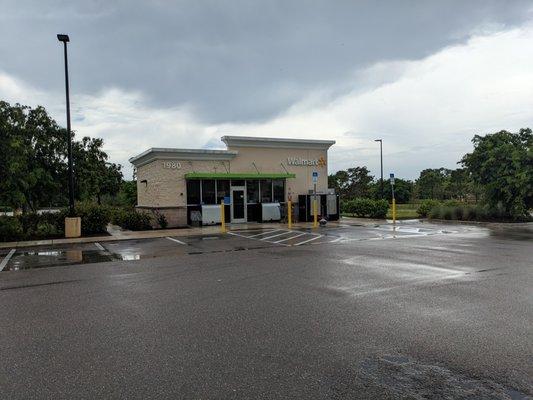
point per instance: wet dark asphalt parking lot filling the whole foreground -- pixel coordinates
(420, 311)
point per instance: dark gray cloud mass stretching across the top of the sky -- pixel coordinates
(233, 61)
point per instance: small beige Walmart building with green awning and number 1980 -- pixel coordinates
(254, 178)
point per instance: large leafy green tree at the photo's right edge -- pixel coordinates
(502, 165)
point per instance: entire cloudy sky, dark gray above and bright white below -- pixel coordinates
(423, 75)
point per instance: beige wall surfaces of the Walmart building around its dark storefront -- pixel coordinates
(166, 187)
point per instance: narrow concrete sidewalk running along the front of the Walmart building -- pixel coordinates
(117, 233)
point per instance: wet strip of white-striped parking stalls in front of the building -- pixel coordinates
(236, 240)
